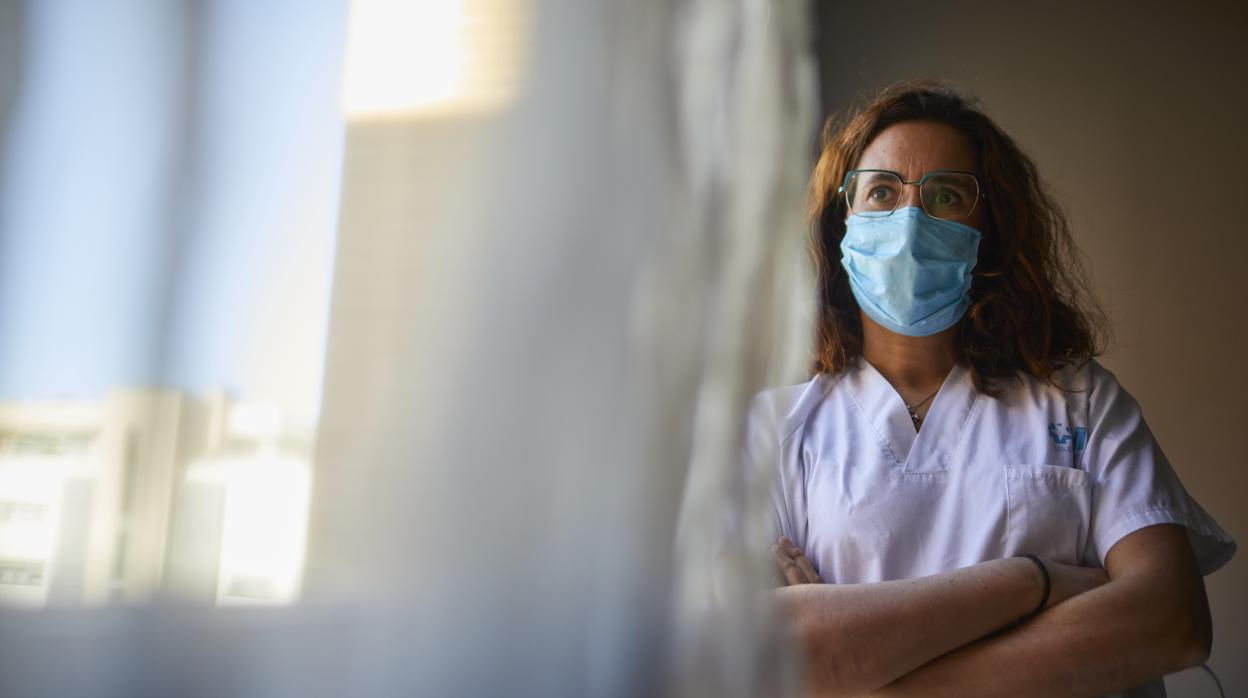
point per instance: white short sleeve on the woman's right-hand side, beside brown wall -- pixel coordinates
(1134, 483)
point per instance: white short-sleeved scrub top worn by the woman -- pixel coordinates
(1059, 475)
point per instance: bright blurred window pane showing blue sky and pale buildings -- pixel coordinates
(169, 190)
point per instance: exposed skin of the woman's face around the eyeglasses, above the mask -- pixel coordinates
(917, 148)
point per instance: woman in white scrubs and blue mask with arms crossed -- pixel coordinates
(957, 423)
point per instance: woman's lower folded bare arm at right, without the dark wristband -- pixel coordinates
(1153, 619)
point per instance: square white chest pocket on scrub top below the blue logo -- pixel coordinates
(1048, 510)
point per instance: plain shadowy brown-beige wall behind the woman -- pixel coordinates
(1136, 116)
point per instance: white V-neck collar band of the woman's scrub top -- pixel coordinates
(932, 449)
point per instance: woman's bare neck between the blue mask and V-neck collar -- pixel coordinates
(912, 365)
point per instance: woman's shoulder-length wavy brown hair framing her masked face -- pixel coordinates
(1031, 305)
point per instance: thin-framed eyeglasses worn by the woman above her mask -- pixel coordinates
(944, 194)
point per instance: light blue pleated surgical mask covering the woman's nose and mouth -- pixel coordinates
(909, 272)
